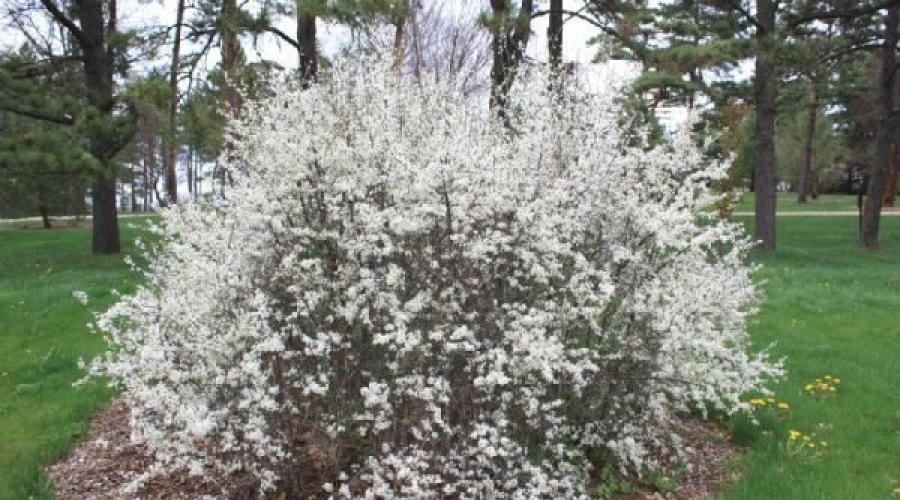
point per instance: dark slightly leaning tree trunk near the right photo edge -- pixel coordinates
(887, 130)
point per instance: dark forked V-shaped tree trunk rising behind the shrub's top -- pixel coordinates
(510, 38)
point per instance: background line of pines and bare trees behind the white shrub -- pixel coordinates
(802, 91)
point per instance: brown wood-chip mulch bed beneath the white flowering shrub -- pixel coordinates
(99, 467)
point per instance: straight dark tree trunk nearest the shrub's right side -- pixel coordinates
(764, 94)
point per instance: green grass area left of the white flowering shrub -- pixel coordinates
(43, 333)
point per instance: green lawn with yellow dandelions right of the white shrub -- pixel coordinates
(832, 309)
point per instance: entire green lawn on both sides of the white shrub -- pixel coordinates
(831, 308)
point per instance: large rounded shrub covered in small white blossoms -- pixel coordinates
(402, 298)
